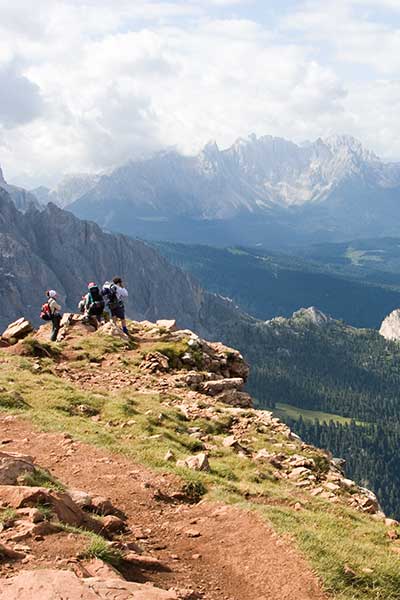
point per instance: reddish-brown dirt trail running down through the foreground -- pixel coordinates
(221, 552)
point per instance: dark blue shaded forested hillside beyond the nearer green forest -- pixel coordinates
(267, 285)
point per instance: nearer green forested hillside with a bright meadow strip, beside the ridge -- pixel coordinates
(351, 375)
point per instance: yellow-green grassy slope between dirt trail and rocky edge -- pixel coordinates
(331, 536)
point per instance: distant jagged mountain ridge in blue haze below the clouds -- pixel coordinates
(260, 190)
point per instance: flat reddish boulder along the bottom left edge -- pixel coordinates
(53, 584)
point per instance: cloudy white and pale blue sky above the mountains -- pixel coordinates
(86, 85)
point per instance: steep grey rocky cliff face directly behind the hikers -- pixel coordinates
(47, 249)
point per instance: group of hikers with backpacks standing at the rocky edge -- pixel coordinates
(92, 305)
